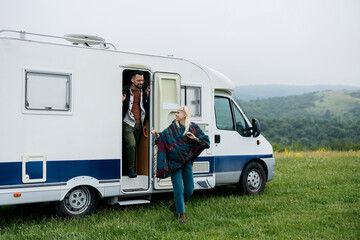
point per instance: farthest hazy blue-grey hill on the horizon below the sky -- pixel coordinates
(268, 91)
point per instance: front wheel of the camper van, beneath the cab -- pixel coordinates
(253, 179)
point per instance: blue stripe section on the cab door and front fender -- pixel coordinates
(235, 163)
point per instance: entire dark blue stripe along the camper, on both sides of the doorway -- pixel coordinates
(102, 169)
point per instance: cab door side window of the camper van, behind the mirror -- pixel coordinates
(223, 114)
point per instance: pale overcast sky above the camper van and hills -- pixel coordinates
(293, 42)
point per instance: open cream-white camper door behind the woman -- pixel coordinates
(166, 102)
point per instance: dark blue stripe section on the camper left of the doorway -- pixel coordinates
(60, 171)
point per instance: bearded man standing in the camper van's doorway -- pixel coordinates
(135, 103)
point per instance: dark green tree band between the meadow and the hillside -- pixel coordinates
(312, 134)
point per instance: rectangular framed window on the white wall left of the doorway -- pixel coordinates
(47, 91)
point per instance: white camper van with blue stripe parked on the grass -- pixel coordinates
(61, 124)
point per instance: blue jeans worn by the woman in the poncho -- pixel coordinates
(183, 186)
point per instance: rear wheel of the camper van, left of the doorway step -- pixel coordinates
(78, 202)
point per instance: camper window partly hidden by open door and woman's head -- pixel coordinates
(191, 97)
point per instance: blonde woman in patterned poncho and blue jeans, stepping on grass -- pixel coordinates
(178, 147)
